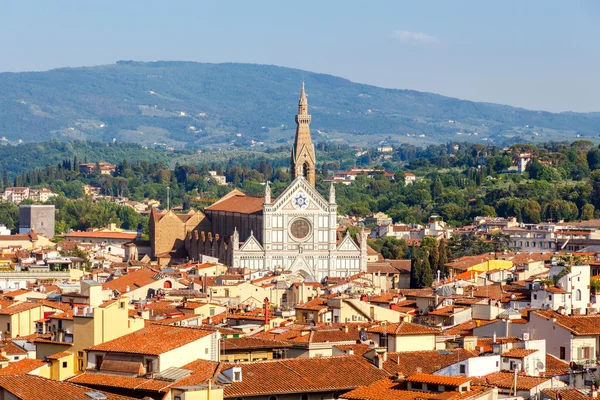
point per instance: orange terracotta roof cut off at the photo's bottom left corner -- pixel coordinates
(31, 387)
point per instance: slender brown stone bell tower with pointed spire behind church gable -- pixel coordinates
(303, 160)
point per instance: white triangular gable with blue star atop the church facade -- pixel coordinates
(300, 195)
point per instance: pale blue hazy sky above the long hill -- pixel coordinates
(536, 54)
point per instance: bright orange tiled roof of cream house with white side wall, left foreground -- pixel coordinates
(153, 339)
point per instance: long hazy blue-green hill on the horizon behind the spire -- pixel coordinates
(227, 106)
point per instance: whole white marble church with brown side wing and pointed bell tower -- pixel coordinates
(296, 232)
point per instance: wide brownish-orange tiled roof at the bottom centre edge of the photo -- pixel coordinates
(302, 375)
